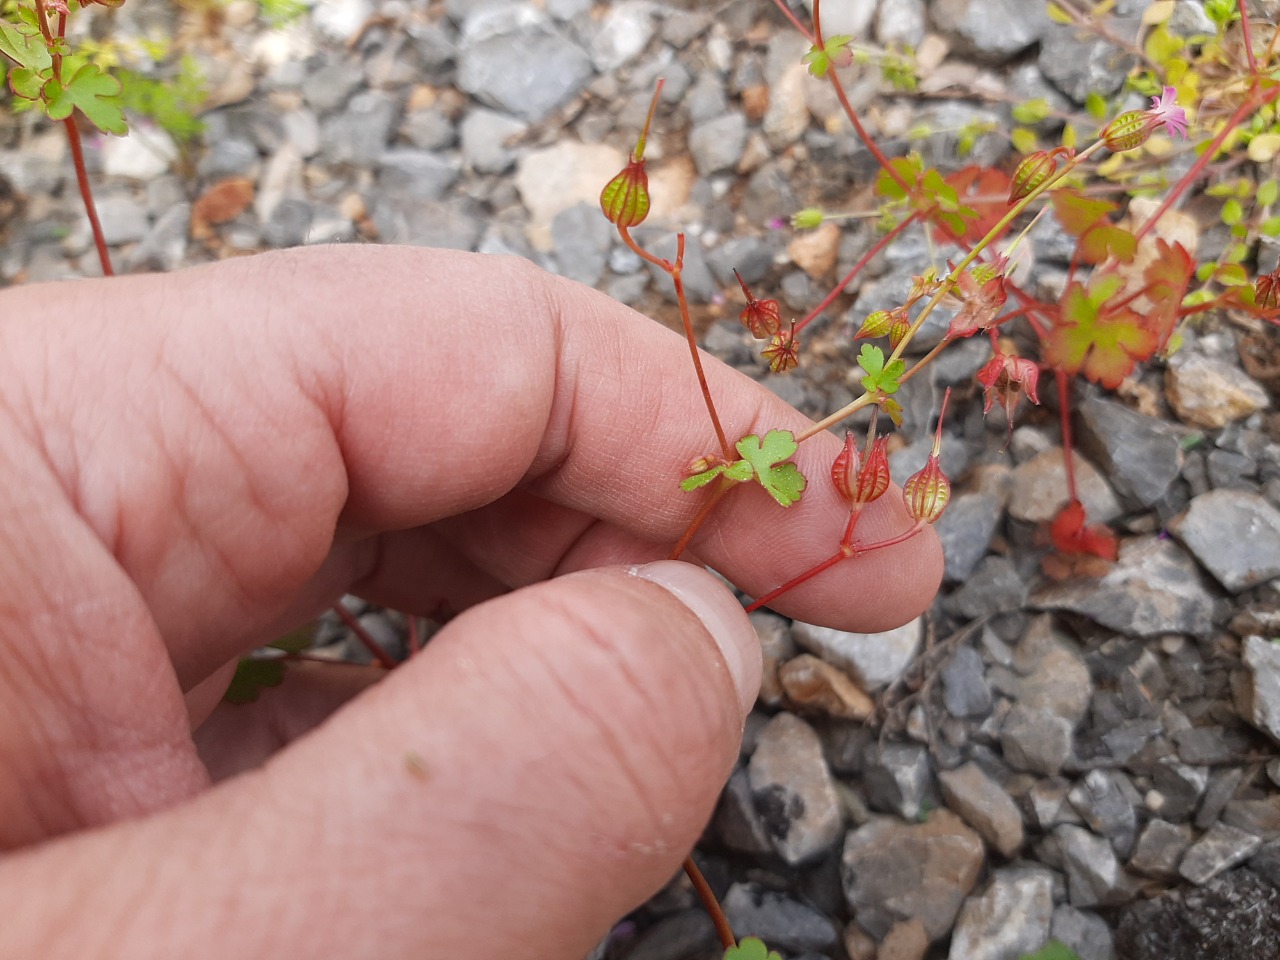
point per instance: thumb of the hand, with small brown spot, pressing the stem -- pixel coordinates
(541, 769)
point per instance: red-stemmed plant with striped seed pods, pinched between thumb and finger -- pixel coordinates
(1128, 292)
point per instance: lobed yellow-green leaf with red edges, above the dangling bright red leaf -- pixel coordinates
(1089, 340)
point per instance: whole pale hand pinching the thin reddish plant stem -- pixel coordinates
(195, 463)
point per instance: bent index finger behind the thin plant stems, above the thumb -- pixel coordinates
(259, 406)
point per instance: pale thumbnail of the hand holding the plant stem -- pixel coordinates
(723, 616)
